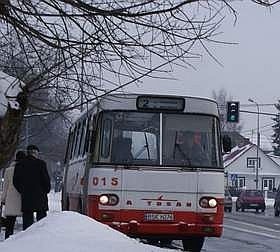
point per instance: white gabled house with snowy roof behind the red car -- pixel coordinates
(240, 168)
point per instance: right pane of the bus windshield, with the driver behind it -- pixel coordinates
(191, 140)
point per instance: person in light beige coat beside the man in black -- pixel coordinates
(10, 196)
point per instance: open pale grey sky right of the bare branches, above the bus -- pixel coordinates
(250, 68)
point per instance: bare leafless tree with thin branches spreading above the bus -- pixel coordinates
(81, 49)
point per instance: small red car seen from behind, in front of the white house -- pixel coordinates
(250, 199)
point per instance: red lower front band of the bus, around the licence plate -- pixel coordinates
(132, 222)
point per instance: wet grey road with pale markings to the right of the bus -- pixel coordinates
(247, 231)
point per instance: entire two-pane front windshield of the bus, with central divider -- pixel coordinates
(140, 138)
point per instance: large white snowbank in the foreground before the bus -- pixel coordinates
(69, 231)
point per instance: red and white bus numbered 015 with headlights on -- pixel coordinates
(129, 165)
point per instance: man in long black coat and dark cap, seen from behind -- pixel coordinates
(32, 181)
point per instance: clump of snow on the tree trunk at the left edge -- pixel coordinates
(9, 89)
